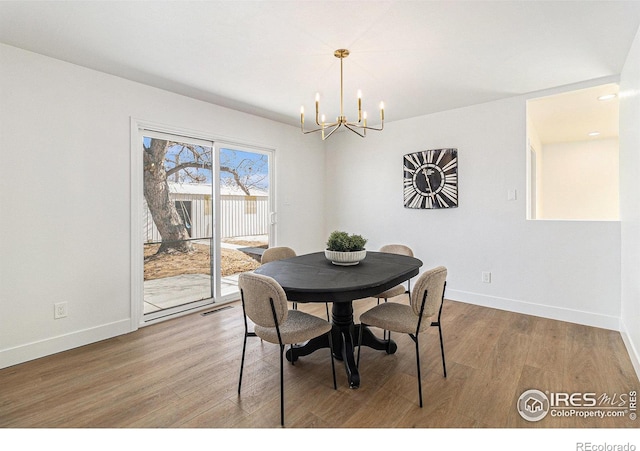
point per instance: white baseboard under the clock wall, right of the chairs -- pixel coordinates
(544, 311)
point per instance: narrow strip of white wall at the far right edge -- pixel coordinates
(630, 201)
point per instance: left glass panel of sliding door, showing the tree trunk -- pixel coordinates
(177, 223)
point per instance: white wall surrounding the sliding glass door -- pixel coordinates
(65, 195)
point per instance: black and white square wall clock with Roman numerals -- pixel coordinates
(431, 179)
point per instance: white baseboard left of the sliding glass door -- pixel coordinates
(35, 350)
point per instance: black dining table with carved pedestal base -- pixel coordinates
(313, 278)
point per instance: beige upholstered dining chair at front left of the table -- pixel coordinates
(265, 303)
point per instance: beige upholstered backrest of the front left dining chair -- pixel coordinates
(256, 290)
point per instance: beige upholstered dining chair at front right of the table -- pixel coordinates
(426, 302)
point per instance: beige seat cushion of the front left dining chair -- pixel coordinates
(298, 328)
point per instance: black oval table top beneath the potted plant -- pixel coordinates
(313, 278)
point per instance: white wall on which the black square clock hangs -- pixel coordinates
(568, 270)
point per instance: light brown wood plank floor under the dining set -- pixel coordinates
(183, 373)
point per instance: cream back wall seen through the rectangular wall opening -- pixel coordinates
(579, 180)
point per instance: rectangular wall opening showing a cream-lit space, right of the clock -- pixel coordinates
(572, 155)
